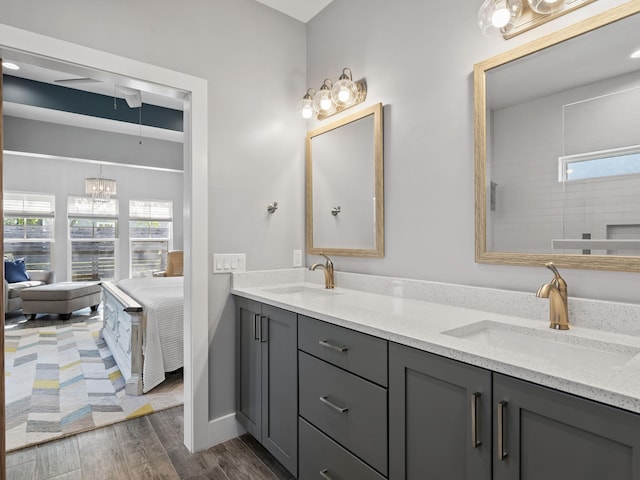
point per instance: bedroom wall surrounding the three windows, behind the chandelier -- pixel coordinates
(63, 178)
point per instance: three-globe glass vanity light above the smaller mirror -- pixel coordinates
(332, 98)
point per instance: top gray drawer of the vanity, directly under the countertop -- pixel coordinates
(356, 352)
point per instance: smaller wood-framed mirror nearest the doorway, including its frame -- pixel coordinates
(345, 186)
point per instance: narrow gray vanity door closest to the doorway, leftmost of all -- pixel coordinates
(249, 377)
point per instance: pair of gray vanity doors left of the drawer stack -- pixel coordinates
(267, 385)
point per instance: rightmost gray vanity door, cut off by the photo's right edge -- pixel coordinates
(549, 435)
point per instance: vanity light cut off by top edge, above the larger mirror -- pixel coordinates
(512, 17)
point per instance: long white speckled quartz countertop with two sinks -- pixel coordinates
(437, 329)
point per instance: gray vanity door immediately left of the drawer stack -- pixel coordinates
(279, 336)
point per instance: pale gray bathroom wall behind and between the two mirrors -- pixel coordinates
(417, 58)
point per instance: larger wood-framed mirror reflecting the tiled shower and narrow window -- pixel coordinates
(558, 148)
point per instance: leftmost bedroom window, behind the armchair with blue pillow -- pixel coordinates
(28, 228)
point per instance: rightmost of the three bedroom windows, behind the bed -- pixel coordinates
(150, 231)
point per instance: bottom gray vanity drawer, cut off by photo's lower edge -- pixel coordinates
(318, 453)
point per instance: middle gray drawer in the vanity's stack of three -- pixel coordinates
(350, 410)
